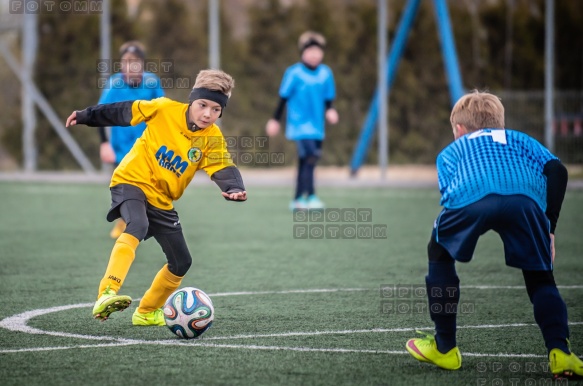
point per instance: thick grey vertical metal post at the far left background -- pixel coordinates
(29, 47)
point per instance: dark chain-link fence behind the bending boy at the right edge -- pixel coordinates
(525, 112)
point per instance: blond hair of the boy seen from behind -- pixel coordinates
(478, 110)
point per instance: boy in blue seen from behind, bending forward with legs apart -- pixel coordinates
(501, 180)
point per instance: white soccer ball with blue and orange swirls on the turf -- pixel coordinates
(189, 312)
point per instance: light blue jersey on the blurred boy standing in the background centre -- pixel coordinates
(306, 91)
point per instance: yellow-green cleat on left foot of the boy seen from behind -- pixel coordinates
(425, 350)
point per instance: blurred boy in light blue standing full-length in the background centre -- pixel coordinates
(308, 89)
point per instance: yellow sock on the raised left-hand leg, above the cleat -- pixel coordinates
(122, 257)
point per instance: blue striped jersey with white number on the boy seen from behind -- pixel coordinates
(492, 161)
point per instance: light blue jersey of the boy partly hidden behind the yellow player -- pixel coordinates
(122, 138)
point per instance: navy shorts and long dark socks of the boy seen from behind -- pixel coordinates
(524, 230)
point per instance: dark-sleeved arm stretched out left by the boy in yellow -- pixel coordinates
(109, 114)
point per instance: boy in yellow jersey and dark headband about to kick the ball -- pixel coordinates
(180, 138)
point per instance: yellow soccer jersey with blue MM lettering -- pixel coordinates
(165, 158)
